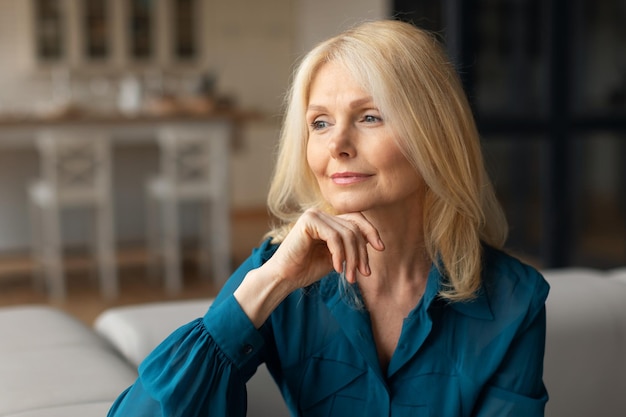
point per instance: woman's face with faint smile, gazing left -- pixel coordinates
(351, 150)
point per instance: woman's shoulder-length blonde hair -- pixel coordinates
(419, 95)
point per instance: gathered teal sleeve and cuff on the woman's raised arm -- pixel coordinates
(202, 368)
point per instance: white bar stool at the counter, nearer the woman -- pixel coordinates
(194, 164)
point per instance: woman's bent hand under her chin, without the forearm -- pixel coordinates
(320, 242)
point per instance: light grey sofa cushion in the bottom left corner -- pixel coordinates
(50, 359)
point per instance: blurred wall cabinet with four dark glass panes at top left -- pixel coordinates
(115, 34)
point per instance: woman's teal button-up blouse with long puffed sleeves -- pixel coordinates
(479, 358)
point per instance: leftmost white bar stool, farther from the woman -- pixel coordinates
(75, 173)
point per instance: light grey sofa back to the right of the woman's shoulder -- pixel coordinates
(585, 360)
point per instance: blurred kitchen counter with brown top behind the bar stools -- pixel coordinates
(135, 159)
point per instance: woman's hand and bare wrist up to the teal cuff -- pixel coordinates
(317, 244)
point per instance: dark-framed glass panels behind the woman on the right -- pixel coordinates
(547, 82)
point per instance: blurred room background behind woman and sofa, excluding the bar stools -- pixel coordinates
(546, 78)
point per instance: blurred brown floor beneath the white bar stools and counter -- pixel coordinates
(84, 300)
